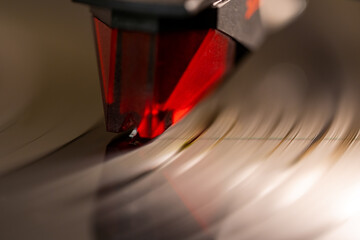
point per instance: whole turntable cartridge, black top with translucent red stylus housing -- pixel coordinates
(157, 59)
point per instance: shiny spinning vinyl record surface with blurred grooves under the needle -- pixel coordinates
(273, 154)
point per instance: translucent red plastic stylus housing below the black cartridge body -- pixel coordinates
(151, 80)
